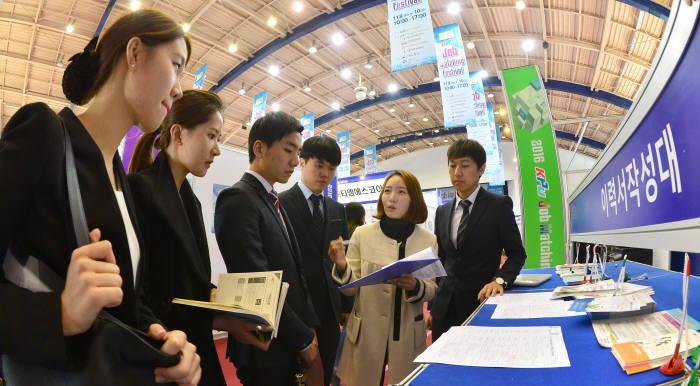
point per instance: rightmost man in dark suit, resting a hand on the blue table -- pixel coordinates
(471, 231)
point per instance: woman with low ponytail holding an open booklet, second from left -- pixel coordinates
(171, 217)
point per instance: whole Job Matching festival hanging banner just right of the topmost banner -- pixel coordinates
(455, 87)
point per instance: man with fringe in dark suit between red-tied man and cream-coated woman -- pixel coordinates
(316, 221)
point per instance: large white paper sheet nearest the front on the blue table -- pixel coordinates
(514, 347)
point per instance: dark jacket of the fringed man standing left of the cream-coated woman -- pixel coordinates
(317, 264)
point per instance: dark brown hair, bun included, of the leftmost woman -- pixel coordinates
(88, 71)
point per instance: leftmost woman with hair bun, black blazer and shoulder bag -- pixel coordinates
(132, 77)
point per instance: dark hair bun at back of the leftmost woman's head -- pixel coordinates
(80, 74)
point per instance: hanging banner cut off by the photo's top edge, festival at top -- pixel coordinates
(411, 34)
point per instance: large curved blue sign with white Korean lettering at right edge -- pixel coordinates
(653, 179)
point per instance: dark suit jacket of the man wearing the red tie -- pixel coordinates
(252, 238)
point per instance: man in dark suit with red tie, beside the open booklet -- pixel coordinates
(254, 234)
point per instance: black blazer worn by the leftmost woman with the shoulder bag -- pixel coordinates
(36, 221)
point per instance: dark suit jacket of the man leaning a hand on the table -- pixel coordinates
(491, 228)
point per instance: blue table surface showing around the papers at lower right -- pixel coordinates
(590, 363)
